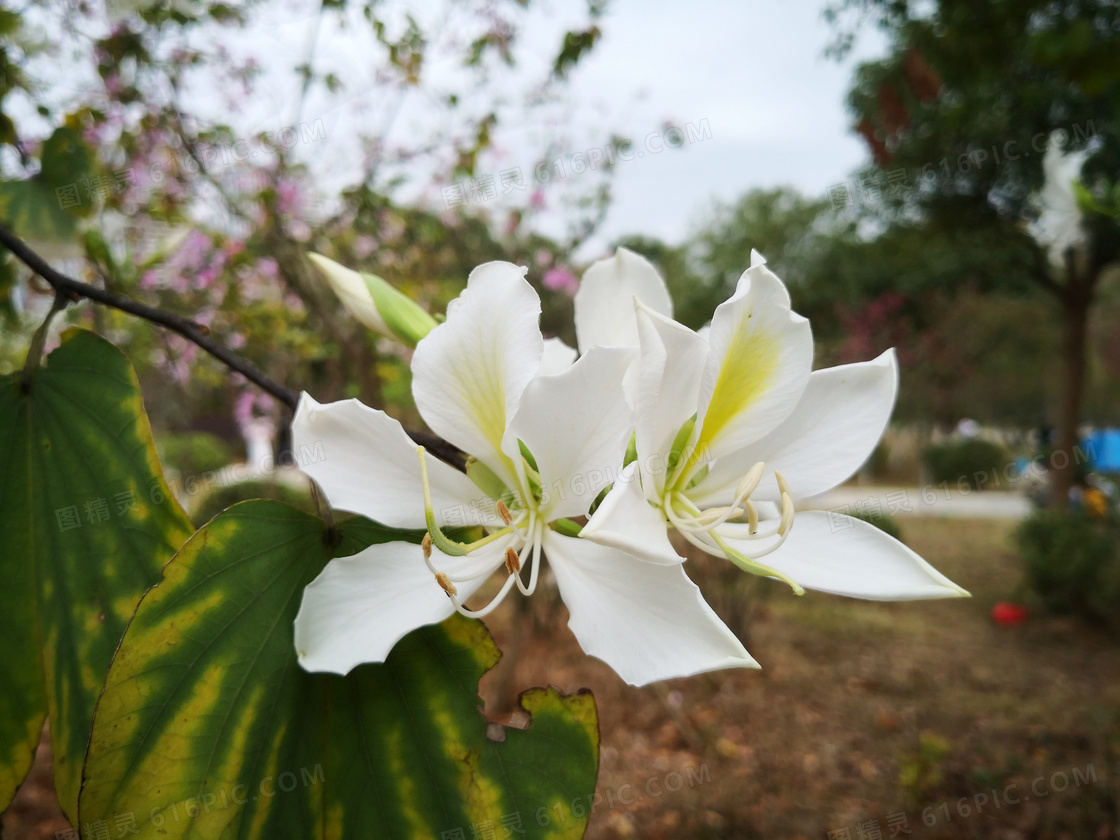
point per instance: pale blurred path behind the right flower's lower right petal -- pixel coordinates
(928, 501)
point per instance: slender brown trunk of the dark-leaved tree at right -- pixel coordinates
(1076, 304)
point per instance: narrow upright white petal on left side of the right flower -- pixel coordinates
(666, 388)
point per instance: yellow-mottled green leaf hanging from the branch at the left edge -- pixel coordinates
(87, 522)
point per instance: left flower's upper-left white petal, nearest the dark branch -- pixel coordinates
(366, 463)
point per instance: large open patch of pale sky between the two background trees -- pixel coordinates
(755, 71)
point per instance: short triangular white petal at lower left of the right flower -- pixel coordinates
(626, 520)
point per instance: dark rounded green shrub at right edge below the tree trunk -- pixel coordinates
(1072, 563)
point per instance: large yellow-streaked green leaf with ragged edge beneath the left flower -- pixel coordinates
(209, 727)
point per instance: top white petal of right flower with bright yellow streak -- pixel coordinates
(761, 358)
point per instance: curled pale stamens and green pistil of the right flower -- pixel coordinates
(713, 530)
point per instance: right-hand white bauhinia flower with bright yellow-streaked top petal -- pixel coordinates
(729, 425)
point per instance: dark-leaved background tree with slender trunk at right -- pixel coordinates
(958, 116)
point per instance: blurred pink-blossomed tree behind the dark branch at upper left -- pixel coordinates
(137, 175)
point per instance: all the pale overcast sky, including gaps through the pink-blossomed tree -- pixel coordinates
(751, 72)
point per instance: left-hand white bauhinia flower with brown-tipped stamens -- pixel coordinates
(543, 447)
